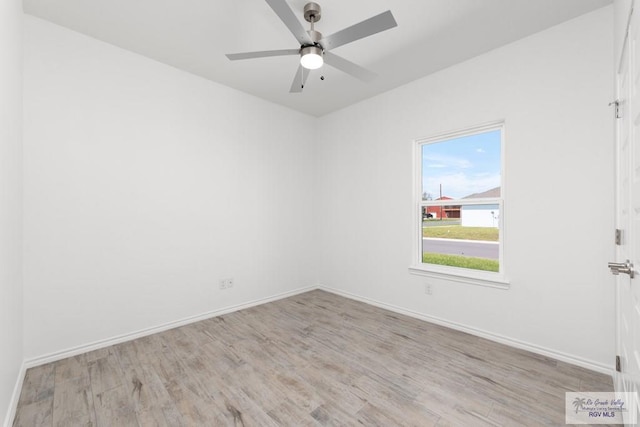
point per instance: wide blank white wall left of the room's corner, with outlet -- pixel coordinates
(144, 186)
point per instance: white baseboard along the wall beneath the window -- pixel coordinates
(564, 357)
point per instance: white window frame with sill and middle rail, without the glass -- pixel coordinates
(463, 275)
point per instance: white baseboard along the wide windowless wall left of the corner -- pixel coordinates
(63, 354)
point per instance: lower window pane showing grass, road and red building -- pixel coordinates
(469, 241)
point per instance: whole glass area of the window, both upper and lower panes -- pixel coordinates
(456, 172)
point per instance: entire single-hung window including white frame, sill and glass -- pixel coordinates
(459, 203)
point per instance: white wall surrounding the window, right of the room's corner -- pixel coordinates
(552, 90)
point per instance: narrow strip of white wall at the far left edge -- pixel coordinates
(10, 199)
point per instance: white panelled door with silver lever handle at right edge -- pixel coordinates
(628, 211)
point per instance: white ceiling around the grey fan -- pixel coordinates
(194, 35)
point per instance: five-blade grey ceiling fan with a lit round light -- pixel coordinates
(314, 47)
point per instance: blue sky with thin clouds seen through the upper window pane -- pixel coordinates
(465, 165)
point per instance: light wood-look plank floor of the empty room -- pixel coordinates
(312, 359)
